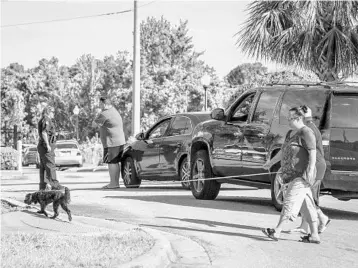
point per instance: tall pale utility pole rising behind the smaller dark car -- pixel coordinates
(136, 75)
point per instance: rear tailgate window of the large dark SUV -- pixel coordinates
(345, 111)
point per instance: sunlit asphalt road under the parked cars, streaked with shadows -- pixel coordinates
(227, 229)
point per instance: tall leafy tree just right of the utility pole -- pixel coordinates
(171, 70)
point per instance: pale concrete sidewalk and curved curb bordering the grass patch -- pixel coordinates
(25, 219)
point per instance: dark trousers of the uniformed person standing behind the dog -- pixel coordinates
(47, 163)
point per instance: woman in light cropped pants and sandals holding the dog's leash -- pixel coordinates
(298, 166)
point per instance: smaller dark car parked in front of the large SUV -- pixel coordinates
(161, 152)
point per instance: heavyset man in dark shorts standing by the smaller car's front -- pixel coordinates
(112, 138)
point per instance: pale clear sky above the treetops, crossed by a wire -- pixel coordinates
(212, 24)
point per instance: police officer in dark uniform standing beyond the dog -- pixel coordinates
(45, 147)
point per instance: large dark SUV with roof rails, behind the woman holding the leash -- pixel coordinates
(239, 140)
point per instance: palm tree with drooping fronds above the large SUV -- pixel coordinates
(320, 36)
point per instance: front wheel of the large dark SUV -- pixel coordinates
(201, 169)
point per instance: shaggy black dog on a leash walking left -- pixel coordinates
(44, 198)
